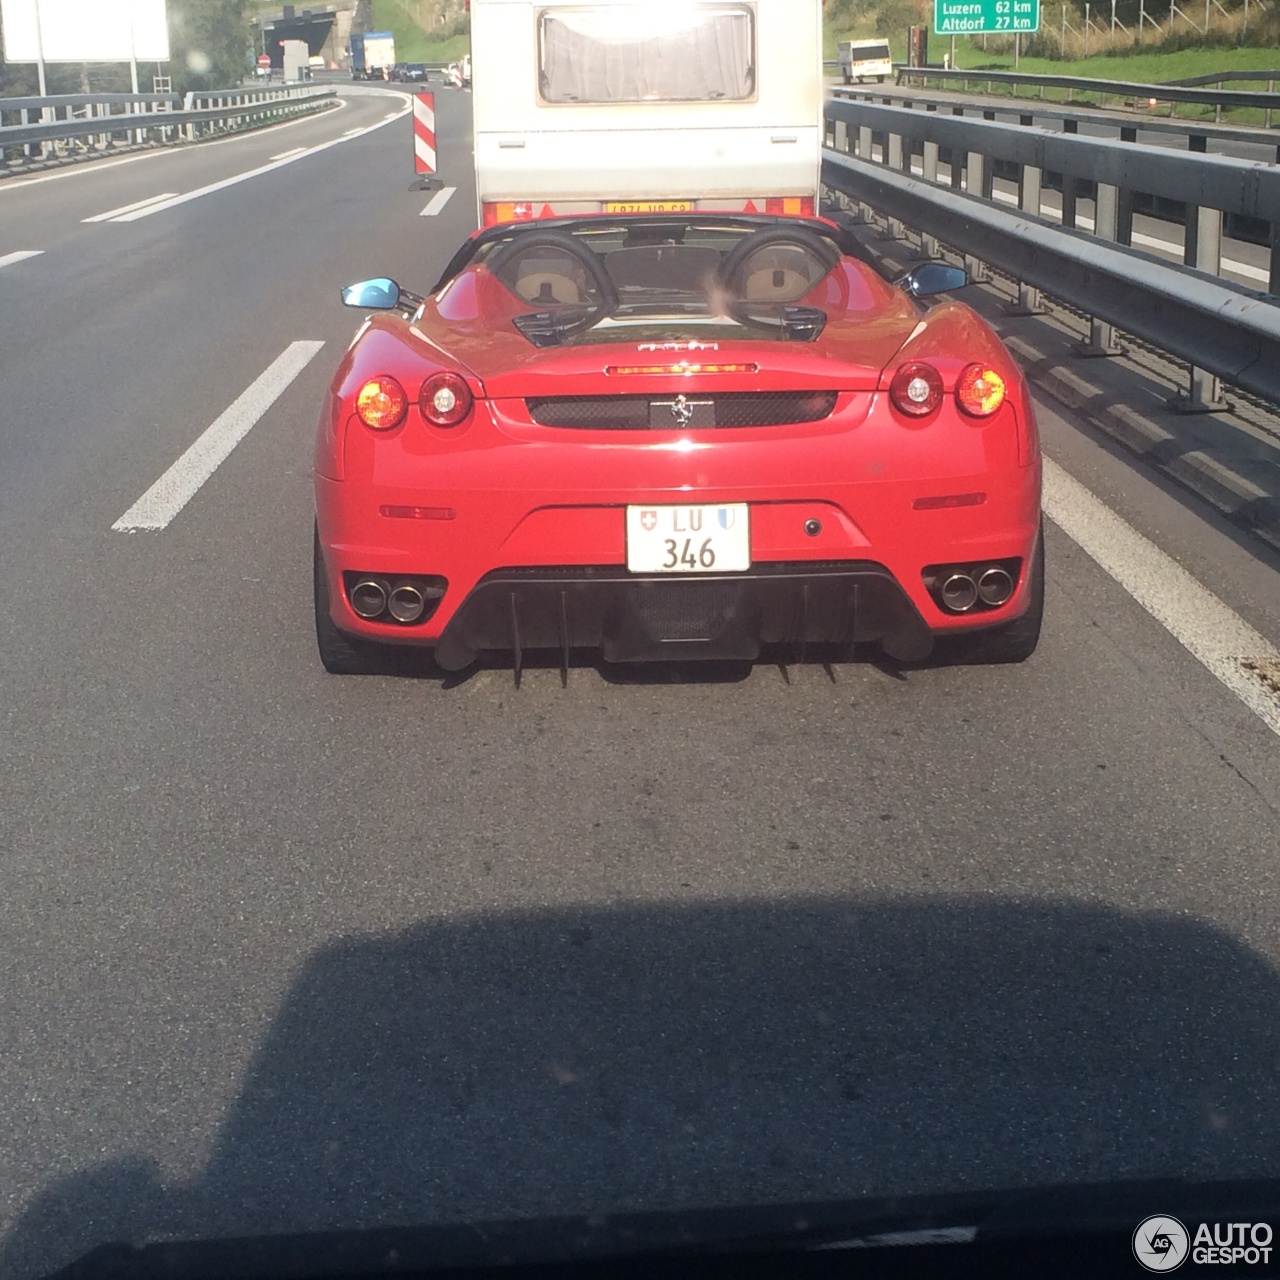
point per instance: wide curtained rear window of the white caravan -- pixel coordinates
(648, 53)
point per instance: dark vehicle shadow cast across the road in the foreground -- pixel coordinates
(612, 1059)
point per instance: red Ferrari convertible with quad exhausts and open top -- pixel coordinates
(675, 436)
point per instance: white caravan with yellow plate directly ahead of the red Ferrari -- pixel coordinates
(662, 106)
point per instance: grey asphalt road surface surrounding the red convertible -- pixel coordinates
(286, 952)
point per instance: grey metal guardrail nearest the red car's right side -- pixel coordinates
(1220, 330)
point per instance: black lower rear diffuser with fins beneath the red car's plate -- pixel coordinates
(644, 619)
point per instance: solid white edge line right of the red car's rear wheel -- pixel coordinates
(1199, 620)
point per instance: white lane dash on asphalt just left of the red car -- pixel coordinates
(181, 483)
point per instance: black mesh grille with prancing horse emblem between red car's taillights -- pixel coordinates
(646, 413)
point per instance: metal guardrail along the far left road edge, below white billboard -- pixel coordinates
(104, 120)
